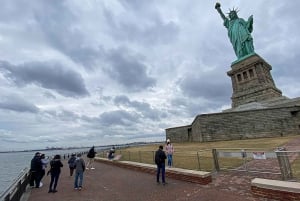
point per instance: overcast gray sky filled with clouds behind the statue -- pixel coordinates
(98, 72)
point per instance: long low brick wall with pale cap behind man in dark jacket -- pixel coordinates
(199, 177)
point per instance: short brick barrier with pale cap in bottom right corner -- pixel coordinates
(275, 189)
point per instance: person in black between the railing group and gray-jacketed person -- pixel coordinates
(55, 170)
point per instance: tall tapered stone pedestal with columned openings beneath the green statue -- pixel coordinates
(252, 81)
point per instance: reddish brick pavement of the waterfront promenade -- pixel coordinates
(110, 183)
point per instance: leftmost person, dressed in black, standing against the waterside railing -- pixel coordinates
(35, 170)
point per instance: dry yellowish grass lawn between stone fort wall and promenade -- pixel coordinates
(198, 156)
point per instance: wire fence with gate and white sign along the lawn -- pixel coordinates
(279, 164)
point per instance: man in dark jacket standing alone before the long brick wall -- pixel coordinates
(160, 157)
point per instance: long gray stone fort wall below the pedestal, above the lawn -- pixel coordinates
(270, 122)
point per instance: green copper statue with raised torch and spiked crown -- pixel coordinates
(239, 32)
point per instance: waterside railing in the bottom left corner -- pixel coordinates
(15, 191)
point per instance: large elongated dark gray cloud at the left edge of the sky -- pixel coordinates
(47, 75)
